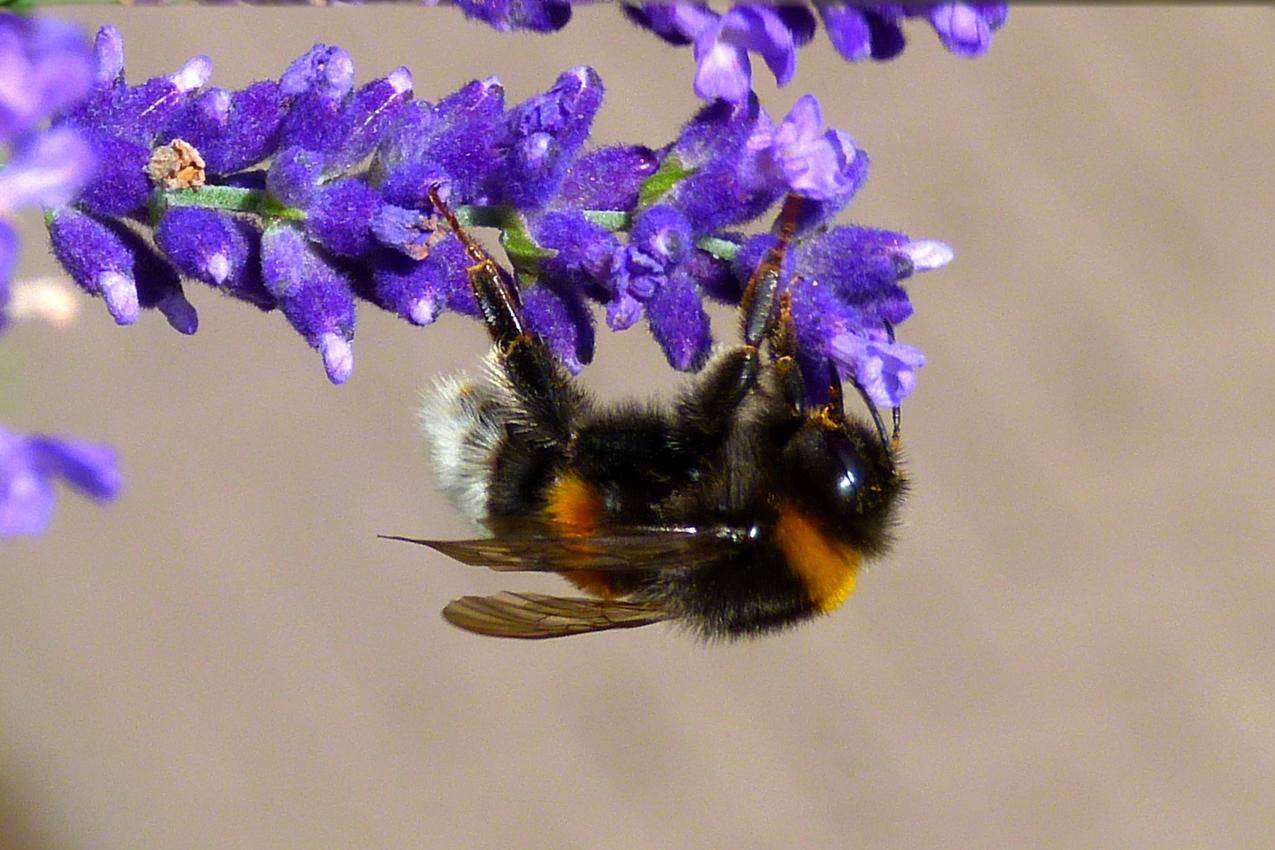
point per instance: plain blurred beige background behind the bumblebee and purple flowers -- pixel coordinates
(1073, 645)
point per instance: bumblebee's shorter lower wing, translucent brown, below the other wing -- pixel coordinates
(534, 616)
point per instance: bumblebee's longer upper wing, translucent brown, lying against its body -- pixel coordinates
(625, 550)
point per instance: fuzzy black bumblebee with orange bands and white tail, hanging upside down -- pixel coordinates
(735, 512)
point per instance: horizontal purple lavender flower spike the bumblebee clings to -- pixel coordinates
(309, 194)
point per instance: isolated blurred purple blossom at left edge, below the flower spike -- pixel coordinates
(29, 467)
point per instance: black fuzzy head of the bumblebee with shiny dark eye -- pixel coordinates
(841, 471)
